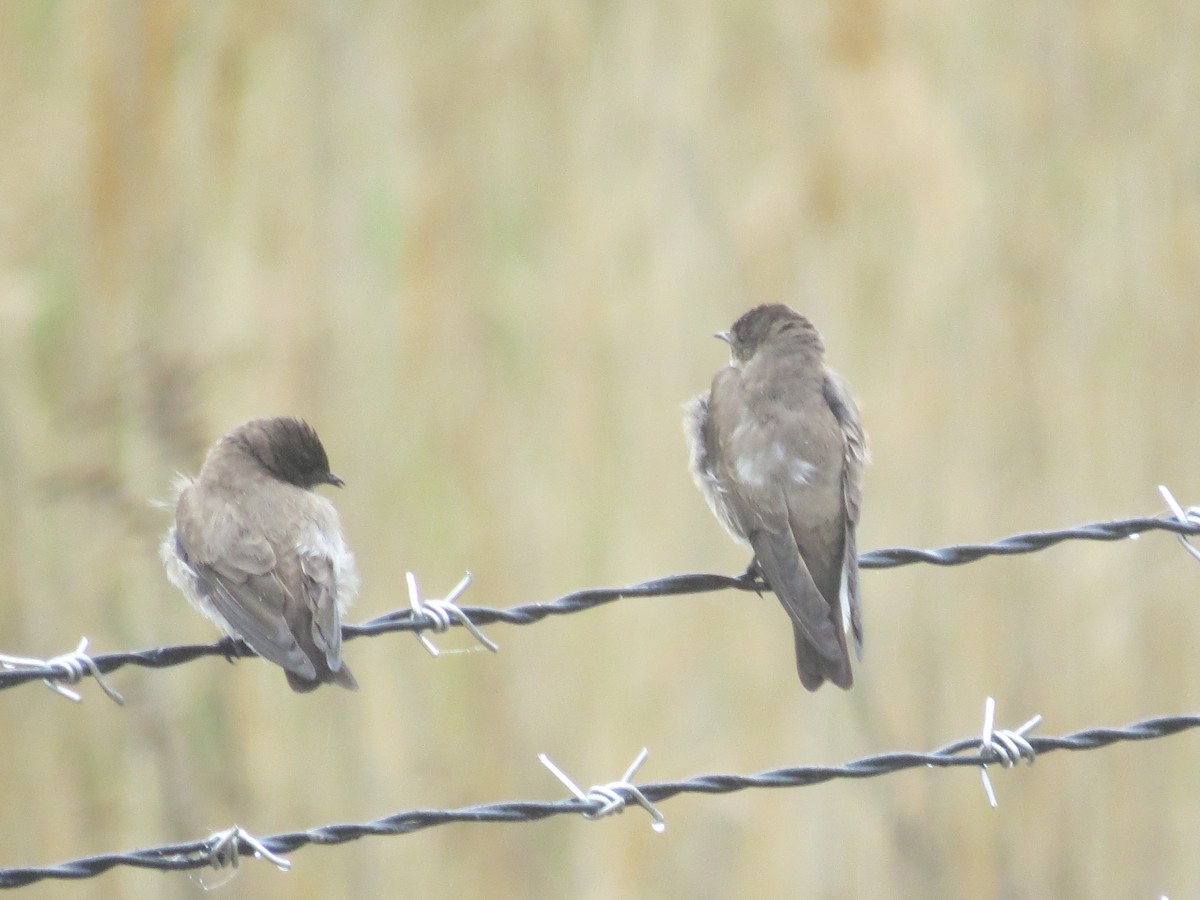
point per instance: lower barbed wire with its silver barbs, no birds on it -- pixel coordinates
(224, 848)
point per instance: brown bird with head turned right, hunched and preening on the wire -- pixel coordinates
(261, 555)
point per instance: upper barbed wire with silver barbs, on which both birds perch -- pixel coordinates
(71, 668)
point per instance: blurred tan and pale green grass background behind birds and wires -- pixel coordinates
(483, 248)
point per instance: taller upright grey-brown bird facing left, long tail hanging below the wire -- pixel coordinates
(778, 452)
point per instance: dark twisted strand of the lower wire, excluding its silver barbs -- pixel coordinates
(199, 854)
